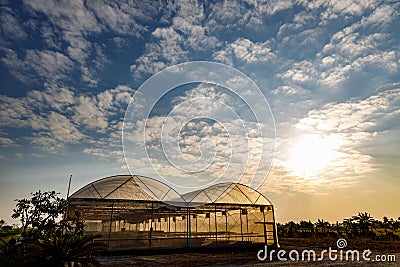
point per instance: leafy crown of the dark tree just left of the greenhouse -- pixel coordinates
(40, 212)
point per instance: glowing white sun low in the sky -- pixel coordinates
(312, 154)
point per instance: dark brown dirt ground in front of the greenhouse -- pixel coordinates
(248, 256)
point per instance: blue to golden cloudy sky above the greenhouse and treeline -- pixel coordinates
(330, 73)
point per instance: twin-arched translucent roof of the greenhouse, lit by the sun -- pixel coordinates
(140, 188)
